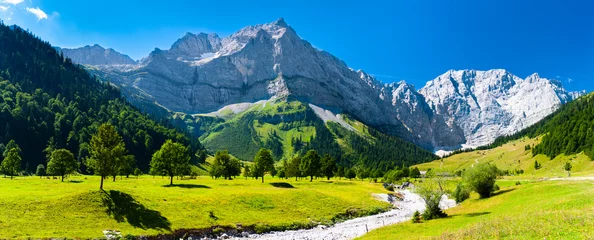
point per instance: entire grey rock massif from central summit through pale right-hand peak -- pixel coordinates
(202, 73)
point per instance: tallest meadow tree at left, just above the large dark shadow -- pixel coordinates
(106, 151)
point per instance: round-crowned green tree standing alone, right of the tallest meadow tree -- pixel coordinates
(172, 159)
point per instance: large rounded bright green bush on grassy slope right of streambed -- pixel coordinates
(481, 179)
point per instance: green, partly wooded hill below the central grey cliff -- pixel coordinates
(291, 128)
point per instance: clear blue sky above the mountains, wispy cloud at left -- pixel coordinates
(411, 40)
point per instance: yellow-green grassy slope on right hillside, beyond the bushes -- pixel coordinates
(513, 156)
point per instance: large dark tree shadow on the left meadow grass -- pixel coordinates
(123, 207)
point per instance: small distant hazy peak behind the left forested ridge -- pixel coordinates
(96, 55)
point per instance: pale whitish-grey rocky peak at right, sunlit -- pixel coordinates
(488, 104)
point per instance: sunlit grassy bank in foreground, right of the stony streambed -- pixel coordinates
(535, 210)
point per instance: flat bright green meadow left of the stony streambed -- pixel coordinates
(42, 208)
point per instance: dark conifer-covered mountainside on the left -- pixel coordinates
(46, 101)
